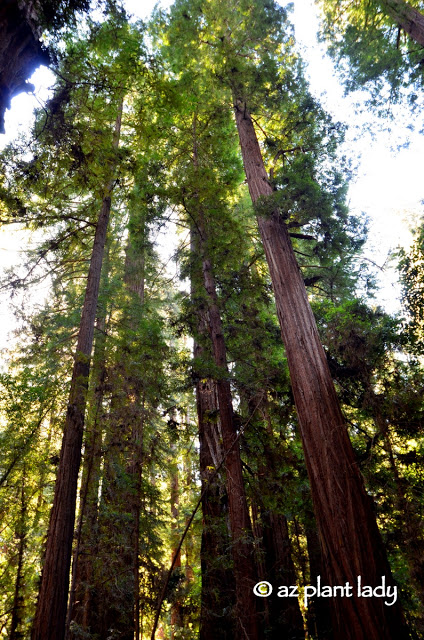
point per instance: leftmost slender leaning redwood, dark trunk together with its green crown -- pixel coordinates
(50, 615)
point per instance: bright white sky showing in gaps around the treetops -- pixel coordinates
(387, 186)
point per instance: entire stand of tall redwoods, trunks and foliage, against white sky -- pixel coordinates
(203, 405)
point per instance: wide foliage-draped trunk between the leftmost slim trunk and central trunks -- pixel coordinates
(114, 608)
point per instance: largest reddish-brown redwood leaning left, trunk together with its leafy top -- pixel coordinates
(244, 47)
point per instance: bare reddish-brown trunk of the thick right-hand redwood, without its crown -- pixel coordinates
(350, 540)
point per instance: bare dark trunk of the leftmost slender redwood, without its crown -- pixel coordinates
(50, 617)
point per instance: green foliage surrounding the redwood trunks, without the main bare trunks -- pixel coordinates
(178, 159)
